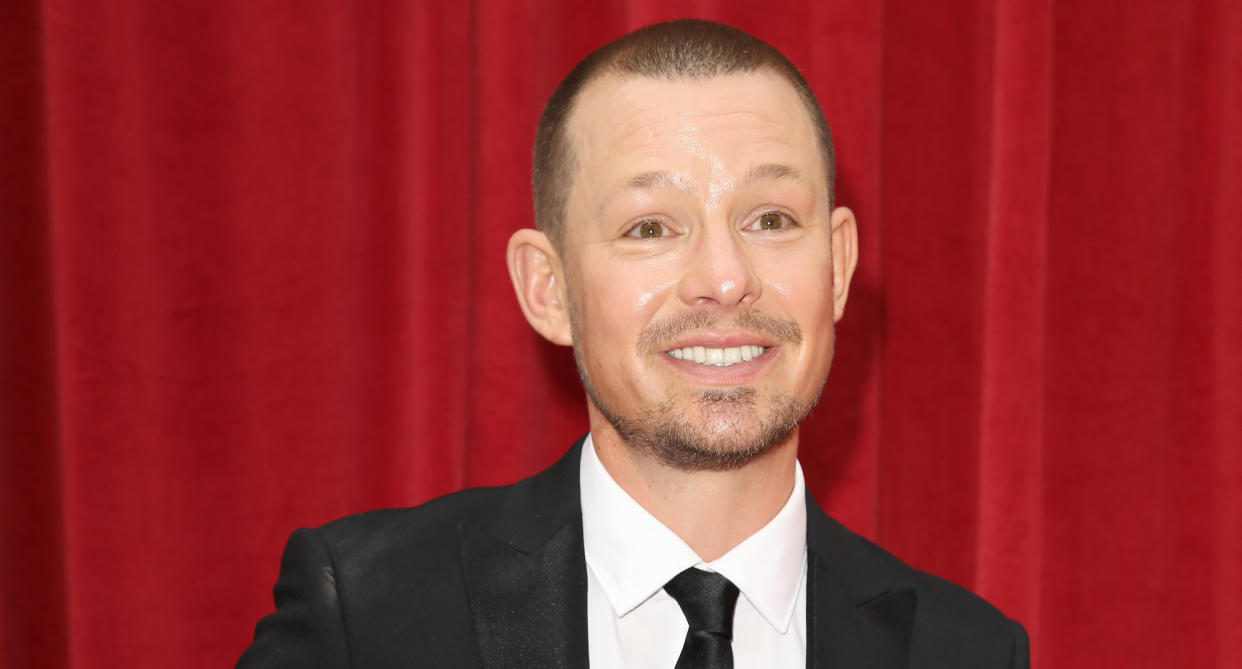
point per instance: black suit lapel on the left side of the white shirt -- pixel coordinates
(526, 574)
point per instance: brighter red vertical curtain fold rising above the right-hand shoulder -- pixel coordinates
(1012, 518)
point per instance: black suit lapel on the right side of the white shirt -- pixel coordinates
(854, 617)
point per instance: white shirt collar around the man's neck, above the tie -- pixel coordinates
(633, 554)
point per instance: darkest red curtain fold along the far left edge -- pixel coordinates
(33, 598)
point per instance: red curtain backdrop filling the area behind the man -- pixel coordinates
(252, 279)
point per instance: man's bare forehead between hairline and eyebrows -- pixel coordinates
(700, 130)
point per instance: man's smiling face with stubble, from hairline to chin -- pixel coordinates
(699, 264)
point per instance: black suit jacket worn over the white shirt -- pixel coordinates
(496, 578)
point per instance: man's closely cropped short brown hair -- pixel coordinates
(686, 49)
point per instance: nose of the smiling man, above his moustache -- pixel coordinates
(720, 272)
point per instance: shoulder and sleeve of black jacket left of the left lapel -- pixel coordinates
(352, 590)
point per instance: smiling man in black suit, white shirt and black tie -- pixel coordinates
(690, 251)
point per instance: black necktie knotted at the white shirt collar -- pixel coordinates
(707, 600)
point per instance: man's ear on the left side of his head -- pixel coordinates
(538, 280)
